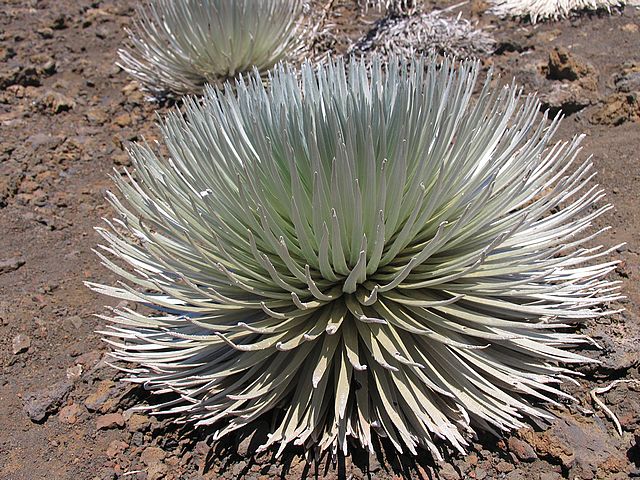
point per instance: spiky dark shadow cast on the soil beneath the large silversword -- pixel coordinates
(236, 454)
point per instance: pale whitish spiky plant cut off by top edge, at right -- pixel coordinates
(536, 10)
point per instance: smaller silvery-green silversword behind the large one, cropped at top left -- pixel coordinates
(176, 47)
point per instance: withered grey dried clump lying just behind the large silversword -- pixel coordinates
(422, 33)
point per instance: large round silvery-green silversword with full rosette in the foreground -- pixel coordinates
(359, 252)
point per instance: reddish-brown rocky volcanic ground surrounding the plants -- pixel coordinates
(66, 111)
